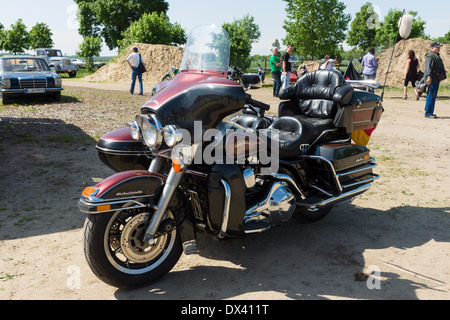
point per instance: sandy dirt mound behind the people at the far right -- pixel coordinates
(398, 65)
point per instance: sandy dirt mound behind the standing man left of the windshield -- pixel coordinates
(158, 60)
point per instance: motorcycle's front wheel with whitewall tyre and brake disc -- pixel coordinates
(116, 254)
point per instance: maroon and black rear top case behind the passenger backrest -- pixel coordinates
(363, 112)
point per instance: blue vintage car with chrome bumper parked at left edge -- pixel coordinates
(22, 75)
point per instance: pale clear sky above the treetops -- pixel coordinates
(269, 15)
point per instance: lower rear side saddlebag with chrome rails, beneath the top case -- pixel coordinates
(341, 167)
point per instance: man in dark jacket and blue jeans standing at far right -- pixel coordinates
(434, 73)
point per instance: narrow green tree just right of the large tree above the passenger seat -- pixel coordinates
(364, 28)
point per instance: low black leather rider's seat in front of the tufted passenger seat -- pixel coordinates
(296, 133)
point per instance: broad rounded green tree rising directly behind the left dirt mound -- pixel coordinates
(154, 28)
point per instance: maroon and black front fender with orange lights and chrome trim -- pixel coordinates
(136, 189)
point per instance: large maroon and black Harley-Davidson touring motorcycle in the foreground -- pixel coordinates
(203, 156)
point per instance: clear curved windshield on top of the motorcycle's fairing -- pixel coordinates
(207, 48)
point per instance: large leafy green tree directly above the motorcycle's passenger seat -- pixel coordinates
(315, 27)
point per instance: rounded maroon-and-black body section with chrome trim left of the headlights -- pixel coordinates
(121, 153)
